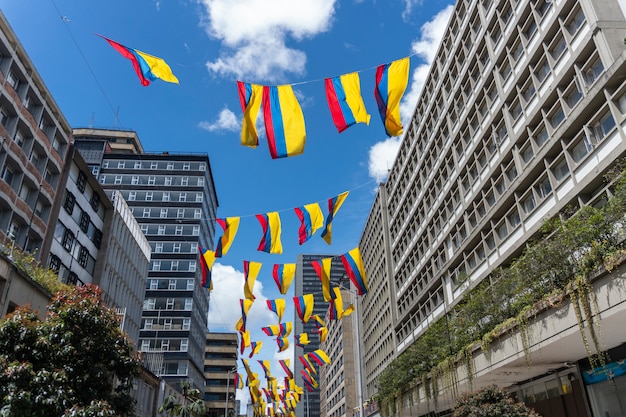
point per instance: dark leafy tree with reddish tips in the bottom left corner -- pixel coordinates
(75, 362)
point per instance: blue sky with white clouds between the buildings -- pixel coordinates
(210, 44)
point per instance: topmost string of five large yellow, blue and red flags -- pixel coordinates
(283, 119)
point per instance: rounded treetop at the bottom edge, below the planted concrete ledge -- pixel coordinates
(490, 401)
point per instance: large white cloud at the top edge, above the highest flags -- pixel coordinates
(255, 34)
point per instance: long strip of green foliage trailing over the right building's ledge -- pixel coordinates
(573, 244)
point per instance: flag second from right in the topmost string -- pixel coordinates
(345, 102)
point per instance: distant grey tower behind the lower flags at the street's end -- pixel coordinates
(307, 282)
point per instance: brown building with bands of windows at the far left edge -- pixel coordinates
(34, 139)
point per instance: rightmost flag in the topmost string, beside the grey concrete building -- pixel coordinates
(391, 82)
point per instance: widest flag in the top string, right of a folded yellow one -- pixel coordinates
(284, 121)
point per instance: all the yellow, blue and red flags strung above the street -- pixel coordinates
(285, 131)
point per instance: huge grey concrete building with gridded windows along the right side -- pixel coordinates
(521, 115)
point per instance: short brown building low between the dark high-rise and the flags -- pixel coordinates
(220, 366)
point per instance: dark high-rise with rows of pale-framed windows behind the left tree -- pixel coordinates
(173, 198)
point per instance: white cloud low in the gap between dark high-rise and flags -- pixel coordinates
(224, 307)
